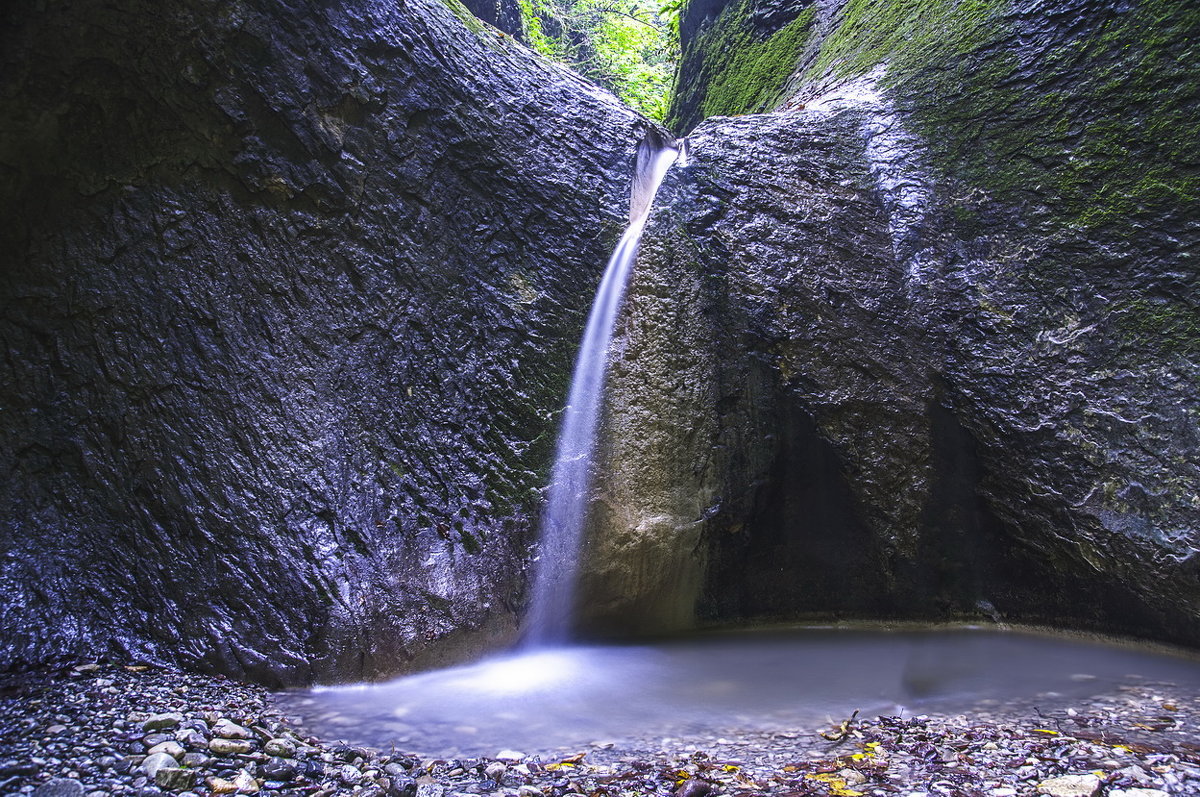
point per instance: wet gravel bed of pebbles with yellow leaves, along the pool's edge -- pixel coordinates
(103, 729)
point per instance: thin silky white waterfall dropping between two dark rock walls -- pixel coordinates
(566, 514)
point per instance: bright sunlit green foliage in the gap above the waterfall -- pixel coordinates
(627, 46)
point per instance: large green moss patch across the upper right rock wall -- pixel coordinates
(1105, 128)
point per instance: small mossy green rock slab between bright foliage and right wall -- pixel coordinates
(735, 70)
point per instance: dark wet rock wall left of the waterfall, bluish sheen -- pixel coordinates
(290, 301)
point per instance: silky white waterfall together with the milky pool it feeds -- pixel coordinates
(550, 697)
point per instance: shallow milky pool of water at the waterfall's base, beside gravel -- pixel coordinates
(556, 699)
